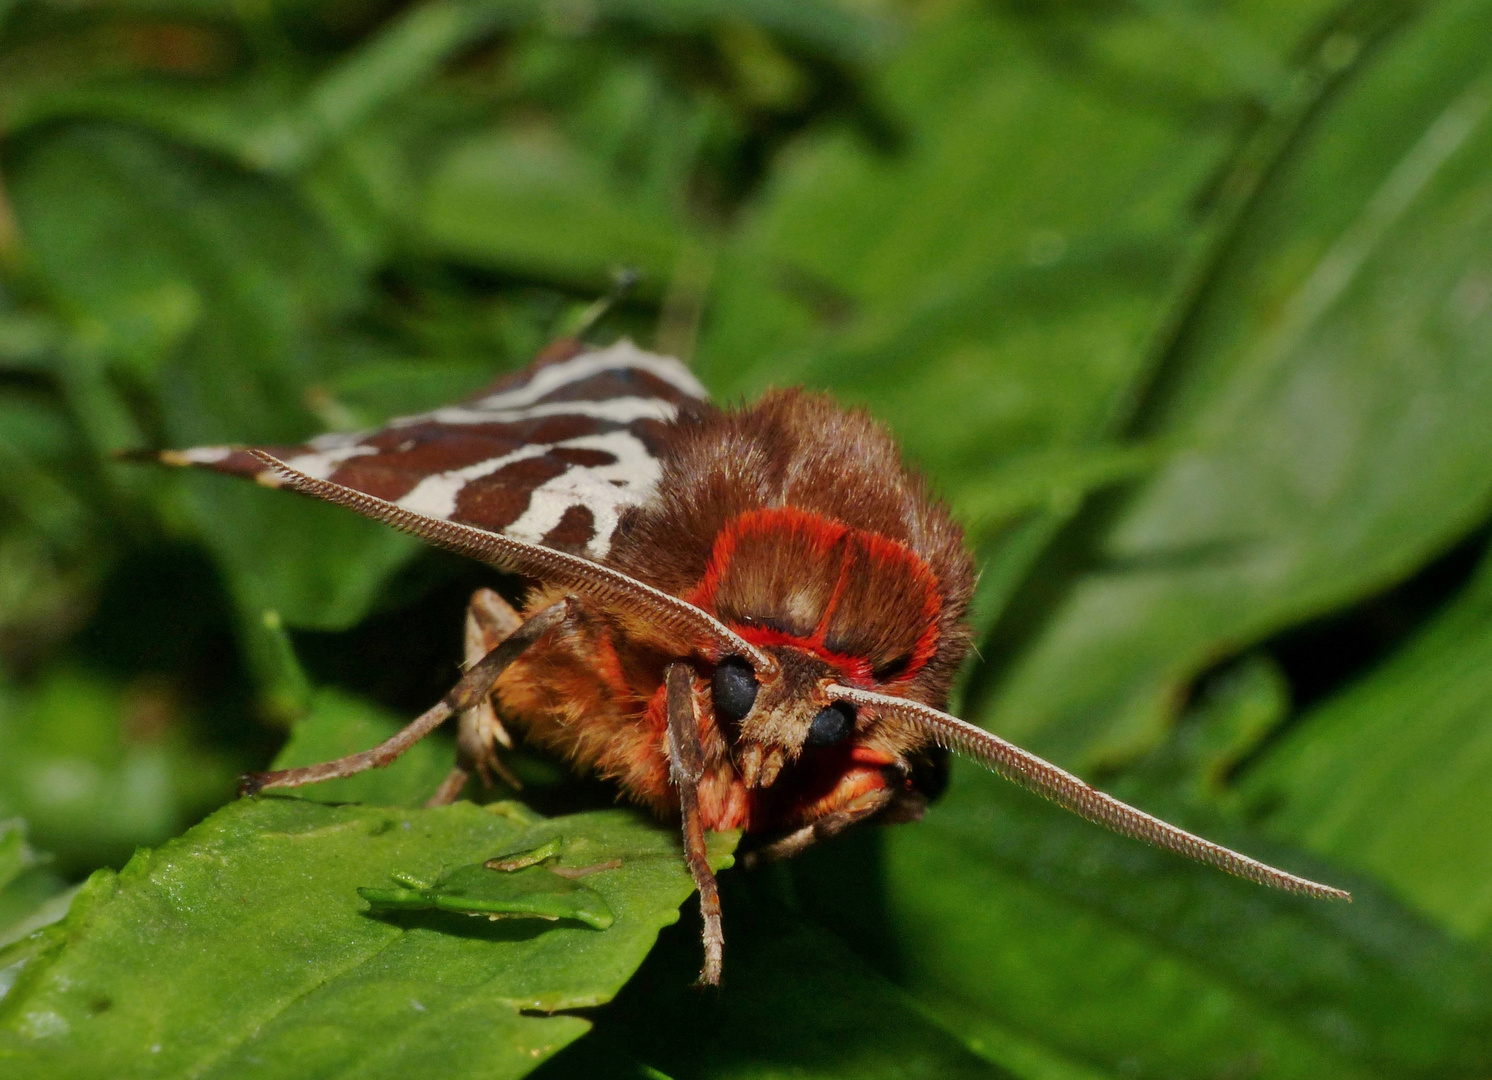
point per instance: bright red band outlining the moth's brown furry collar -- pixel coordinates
(862, 551)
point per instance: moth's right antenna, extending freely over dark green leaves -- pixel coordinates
(1068, 791)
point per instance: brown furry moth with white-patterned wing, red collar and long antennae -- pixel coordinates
(748, 618)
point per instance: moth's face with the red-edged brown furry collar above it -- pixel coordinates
(826, 603)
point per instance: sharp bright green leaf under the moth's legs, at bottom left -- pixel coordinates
(242, 949)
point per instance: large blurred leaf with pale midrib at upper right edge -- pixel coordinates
(1333, 389)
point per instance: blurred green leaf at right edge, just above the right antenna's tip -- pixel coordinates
(1391, 776)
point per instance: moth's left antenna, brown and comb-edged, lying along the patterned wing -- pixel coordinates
(545, 565)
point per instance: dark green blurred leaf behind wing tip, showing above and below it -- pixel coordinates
(213, 289)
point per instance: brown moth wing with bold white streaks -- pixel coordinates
(550, 456)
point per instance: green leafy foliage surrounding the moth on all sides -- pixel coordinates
(1187, 307)
